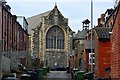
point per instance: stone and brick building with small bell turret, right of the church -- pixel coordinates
(79, 40)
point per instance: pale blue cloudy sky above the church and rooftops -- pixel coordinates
(75, 10)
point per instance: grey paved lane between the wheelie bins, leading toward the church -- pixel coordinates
(58, 75)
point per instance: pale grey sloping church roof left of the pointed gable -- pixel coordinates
(35, 20)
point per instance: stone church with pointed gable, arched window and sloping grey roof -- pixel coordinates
(53, 38)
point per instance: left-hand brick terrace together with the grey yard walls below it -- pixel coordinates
(13, 39)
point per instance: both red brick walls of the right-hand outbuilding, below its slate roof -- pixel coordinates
(102, 57)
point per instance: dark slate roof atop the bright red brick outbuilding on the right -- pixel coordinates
(103, 32)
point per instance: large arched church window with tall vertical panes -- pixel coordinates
(55, 38)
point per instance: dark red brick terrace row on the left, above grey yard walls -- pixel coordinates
(12, 36)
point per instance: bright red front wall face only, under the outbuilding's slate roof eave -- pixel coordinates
(104, 59)
